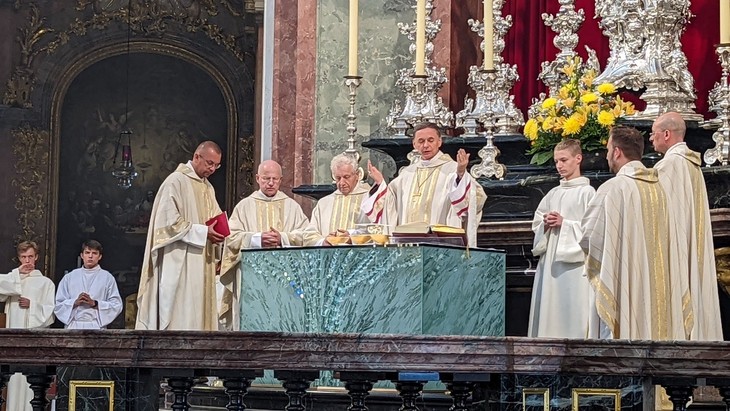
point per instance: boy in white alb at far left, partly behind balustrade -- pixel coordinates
(28, 298)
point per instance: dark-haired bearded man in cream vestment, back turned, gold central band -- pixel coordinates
(638, 292)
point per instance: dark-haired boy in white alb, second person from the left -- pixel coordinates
(88, 297)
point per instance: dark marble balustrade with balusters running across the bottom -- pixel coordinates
(473, 367)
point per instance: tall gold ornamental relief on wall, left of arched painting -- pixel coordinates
(31, 151)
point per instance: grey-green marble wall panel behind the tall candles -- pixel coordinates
(382, 51)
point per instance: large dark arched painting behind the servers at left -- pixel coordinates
(170, 106)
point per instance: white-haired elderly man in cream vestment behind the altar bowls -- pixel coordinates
(345, 208)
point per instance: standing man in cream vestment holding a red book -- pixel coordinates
(177, 288)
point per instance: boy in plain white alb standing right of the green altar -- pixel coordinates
(560, 292)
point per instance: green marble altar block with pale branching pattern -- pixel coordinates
(401, 290)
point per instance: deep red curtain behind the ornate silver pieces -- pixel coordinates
(529, 42)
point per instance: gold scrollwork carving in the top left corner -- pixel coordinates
(21, 82)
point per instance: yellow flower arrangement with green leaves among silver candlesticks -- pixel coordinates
(581, 110)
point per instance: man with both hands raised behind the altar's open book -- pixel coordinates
(433, 190)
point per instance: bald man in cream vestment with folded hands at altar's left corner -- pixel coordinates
(268, 218)
